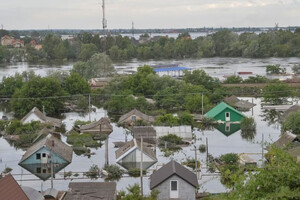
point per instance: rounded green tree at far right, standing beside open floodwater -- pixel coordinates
(276, 93)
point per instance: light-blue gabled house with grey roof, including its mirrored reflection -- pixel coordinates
(38, 157)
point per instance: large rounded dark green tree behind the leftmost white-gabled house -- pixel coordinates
(39, 92)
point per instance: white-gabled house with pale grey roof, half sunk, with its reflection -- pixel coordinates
(129, 155)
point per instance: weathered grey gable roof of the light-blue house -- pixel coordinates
(60, 148)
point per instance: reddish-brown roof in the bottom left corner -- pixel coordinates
(10, 189)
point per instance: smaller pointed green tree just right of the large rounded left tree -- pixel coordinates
(75, 84)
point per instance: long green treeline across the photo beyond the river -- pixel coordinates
(220, 44)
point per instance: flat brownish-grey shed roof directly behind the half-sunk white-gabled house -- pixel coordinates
(147, 132)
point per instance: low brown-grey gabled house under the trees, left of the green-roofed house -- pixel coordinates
(135, 115)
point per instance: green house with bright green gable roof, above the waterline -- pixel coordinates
(224, 112)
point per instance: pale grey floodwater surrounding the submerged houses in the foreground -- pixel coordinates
(218, 144)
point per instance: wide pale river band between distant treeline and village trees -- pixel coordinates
(216, 67)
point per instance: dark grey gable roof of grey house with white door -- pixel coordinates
(170, 169)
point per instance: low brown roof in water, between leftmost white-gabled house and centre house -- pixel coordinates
(101, 126)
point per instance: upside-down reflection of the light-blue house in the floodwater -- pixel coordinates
(43, 171)
